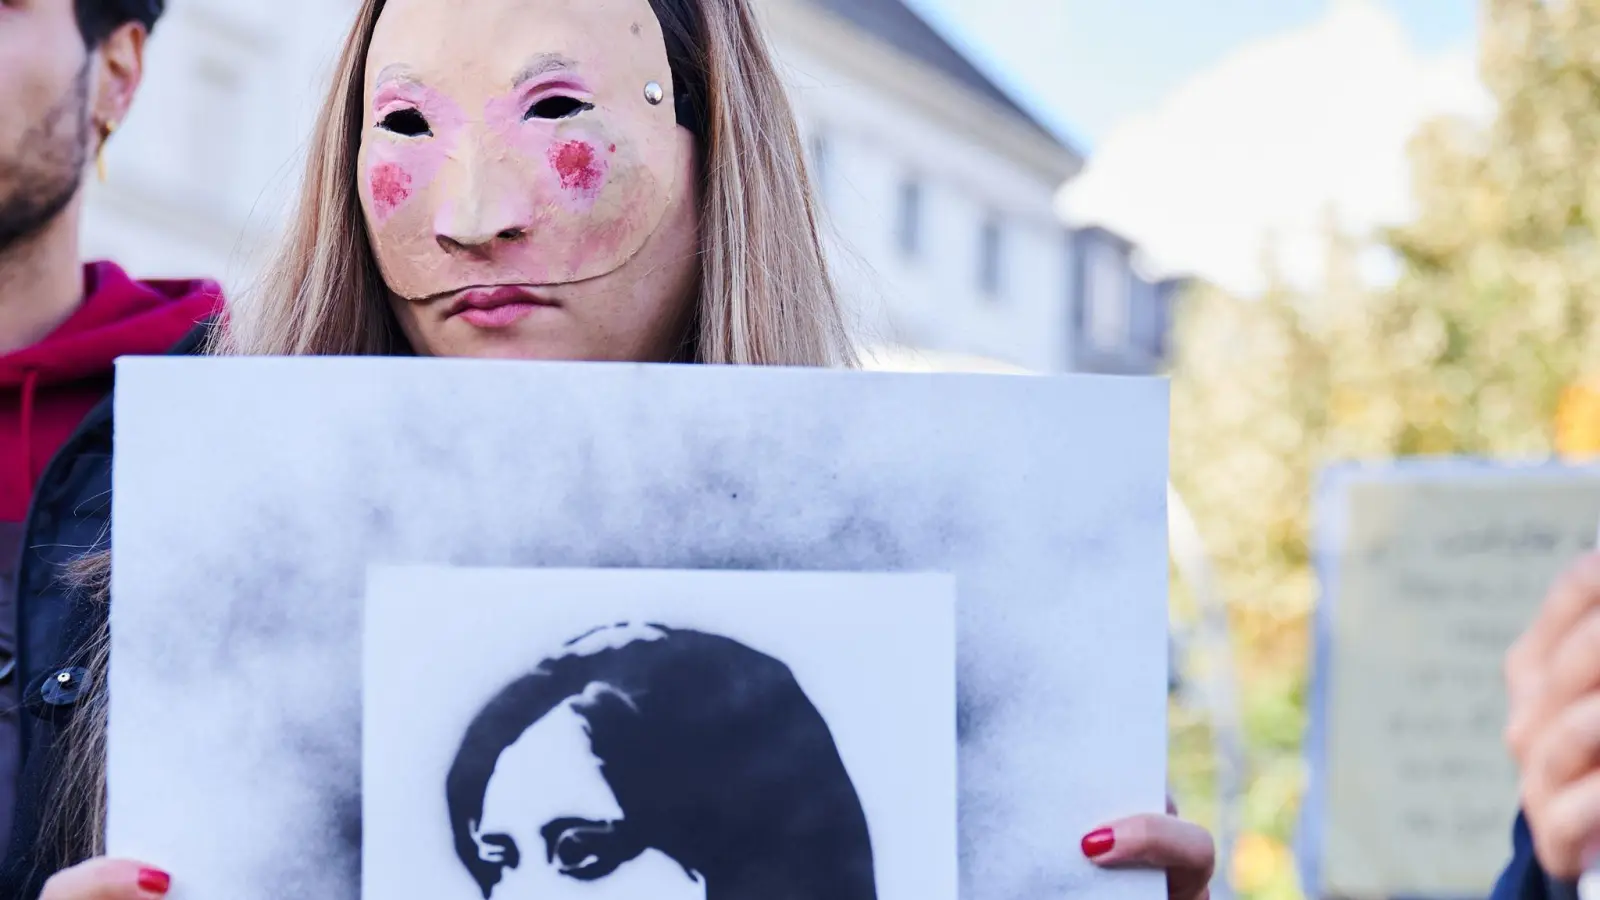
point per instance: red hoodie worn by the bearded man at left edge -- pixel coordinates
(49, 388)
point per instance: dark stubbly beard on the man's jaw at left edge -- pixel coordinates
(47, 171)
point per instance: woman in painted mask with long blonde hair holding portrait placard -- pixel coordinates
(519, 179)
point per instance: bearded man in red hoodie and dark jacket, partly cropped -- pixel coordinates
(68, 74)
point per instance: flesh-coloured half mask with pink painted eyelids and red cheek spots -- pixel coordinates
(516, 142)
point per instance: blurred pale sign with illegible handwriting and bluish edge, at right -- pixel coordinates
(1430, 571)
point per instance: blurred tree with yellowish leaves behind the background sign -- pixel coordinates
(1486, 345)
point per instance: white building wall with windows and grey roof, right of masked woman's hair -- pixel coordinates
(937, 188)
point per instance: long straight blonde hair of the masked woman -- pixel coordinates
(766, 295)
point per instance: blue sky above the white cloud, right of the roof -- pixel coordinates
(1087, 65)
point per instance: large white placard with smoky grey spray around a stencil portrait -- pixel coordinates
(255, 496)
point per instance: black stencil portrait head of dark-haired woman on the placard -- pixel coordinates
(668, 765)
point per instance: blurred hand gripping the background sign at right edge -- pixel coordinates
(1553, 678)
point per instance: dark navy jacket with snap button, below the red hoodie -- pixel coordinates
(68, 520)
